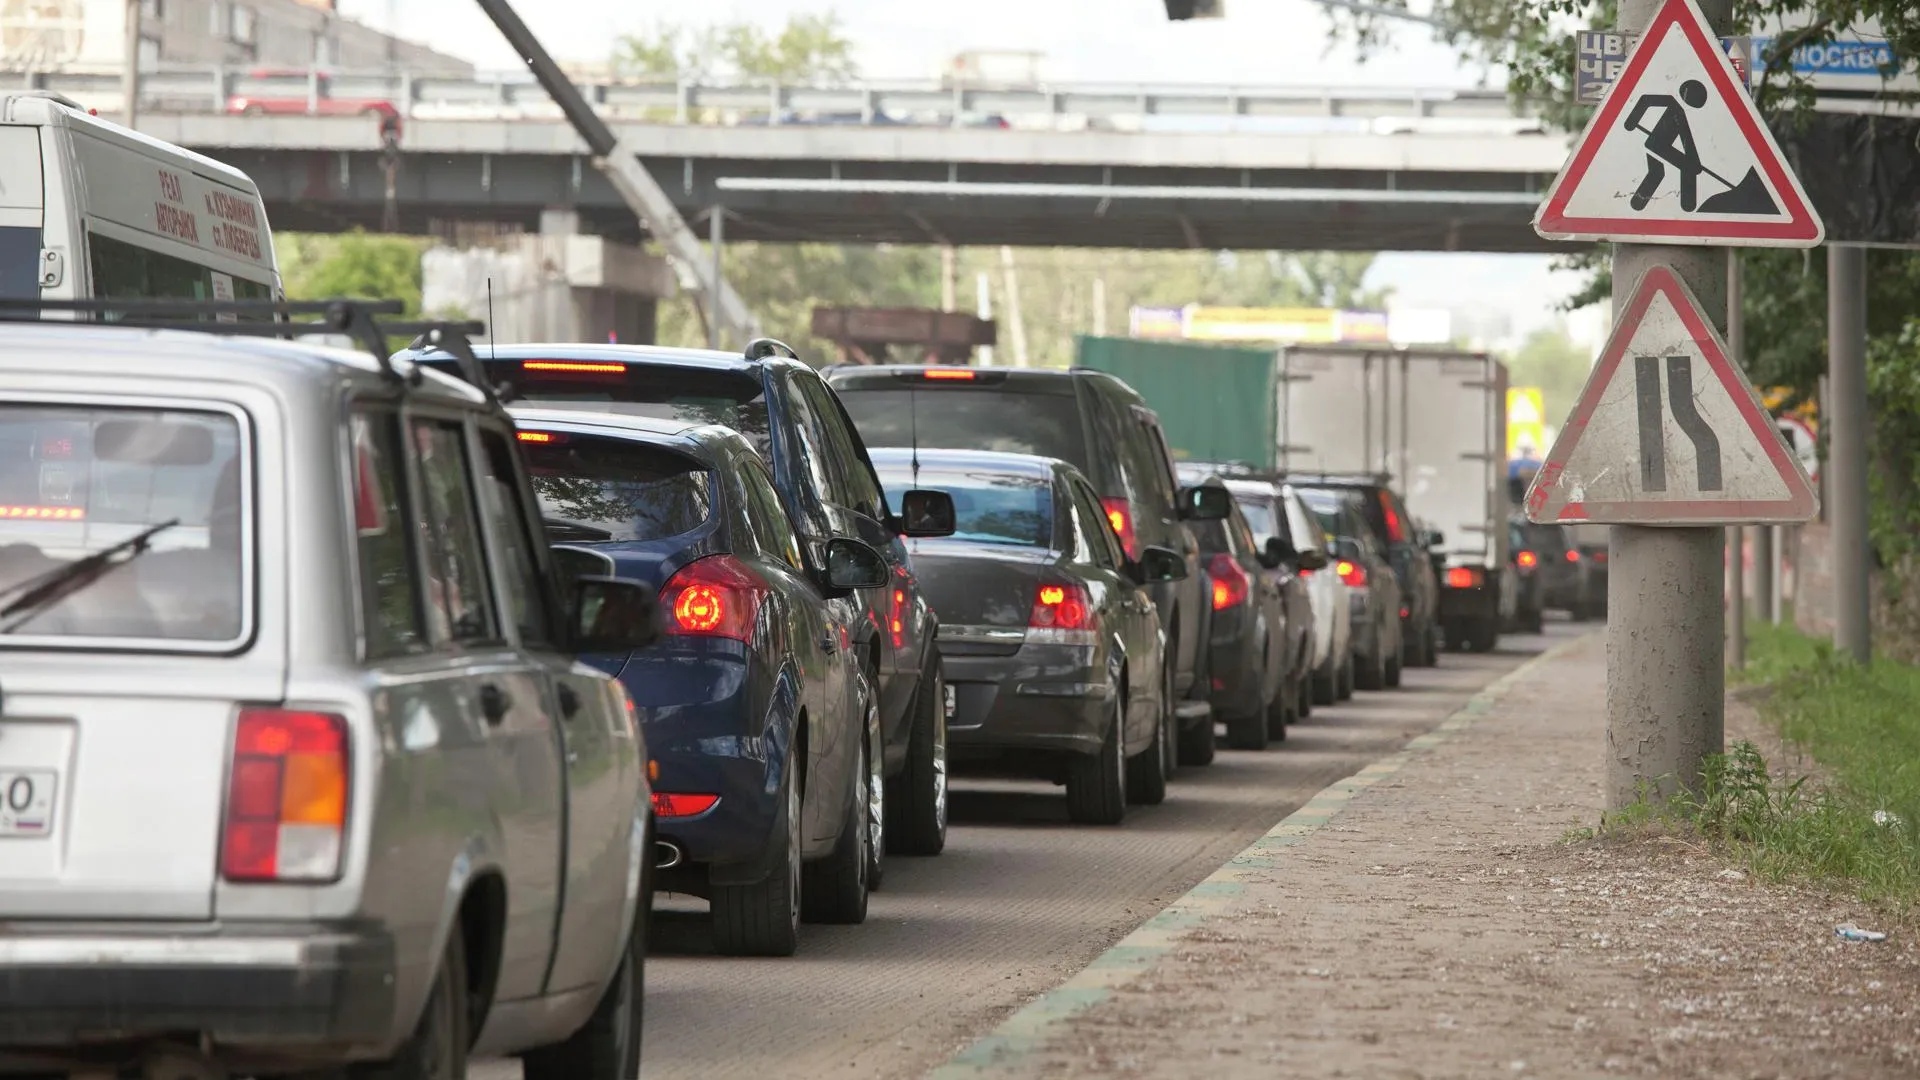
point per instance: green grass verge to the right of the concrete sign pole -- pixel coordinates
(1860, 823)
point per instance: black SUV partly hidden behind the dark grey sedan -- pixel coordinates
(1090, 420)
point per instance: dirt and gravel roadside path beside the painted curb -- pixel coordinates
(1443, 925)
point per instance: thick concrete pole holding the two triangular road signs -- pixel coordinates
(1666, 622)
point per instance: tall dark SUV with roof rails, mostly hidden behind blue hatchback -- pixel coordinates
(828, 489)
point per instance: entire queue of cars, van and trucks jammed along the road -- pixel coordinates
(362, 689)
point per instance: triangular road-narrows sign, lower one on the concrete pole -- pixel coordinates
(1668, 431)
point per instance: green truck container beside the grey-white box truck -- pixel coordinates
(1232, 418)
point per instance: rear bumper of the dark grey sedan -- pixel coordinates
(1038, 699)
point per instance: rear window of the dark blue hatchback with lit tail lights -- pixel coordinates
(612, 489)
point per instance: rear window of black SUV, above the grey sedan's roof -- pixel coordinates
(971, 418)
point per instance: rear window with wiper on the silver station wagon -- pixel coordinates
(80, 479)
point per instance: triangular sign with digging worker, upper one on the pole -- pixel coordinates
(1677, 155)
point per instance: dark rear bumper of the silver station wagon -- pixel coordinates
(297, 991)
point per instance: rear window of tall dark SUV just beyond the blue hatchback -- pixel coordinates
(727, 399)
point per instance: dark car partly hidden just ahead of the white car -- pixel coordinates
(1362, 564)
